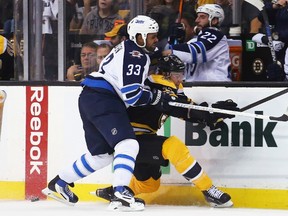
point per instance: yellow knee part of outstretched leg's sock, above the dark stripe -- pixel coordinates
(177, 153)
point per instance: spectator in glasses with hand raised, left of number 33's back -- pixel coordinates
(88, 63)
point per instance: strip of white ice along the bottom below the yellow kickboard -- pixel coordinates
(54, 208)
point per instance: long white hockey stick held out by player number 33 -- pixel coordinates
(283, 118)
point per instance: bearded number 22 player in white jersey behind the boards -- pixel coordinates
(207, 55)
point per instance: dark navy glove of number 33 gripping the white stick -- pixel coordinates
(161, 100)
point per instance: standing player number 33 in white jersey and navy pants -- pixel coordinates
(109, 136)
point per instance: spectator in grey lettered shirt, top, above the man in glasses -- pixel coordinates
(101, 19)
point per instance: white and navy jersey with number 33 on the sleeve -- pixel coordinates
(125, 68)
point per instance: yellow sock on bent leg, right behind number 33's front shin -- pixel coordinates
(148, 186)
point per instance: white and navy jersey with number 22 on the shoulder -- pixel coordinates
(206, 57)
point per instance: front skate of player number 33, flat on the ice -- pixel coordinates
(123, 199)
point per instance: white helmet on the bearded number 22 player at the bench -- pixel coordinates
(213, 11)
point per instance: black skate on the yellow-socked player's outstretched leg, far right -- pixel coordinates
(216, 198)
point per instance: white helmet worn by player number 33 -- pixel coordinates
(141, 25)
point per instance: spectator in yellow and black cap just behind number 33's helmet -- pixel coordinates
(117, 34)
